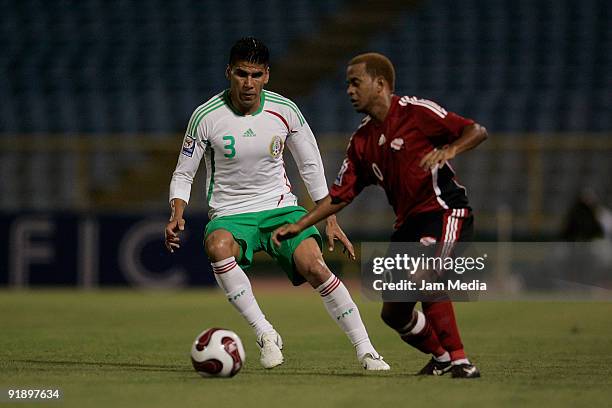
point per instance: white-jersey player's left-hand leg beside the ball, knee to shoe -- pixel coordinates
(223, 250)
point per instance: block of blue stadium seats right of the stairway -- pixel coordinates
(543, 66)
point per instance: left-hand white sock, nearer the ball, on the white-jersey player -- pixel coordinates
(237, 287)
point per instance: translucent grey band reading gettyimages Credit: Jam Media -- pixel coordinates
(413, 272)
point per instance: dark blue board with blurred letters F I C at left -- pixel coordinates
(99, 250)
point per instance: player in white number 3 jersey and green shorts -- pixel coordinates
(241, 133)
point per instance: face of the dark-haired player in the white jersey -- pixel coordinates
(246, 83)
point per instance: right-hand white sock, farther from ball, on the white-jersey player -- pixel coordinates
(342, 309)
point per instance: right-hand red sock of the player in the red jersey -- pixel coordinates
(442, 318)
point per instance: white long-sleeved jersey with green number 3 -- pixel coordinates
(244, 155)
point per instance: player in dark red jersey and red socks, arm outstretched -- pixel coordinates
(404, 145)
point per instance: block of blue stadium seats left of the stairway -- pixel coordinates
(129, 66)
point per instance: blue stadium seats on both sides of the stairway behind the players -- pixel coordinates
(141, 66)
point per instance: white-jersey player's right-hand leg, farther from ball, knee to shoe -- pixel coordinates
(309, 263)
